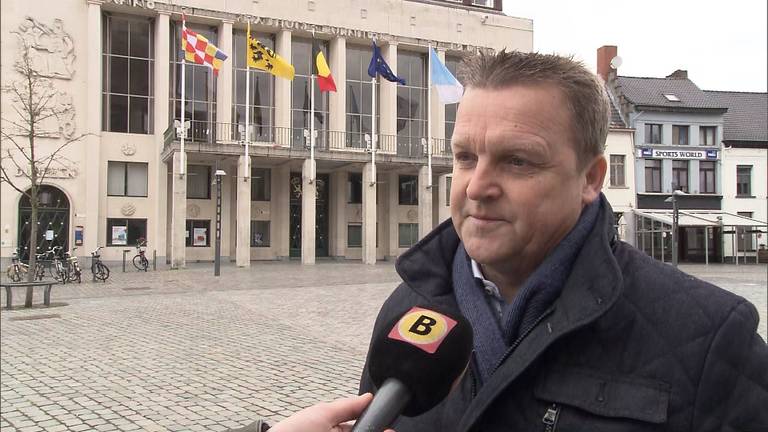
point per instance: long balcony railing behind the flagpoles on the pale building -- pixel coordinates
(201, 132)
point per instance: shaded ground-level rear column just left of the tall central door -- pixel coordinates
(280, 214)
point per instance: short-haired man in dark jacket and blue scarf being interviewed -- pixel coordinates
(573, 329)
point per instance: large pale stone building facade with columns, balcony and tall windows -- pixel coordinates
(116, 69)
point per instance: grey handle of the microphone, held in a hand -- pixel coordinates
(386, 405)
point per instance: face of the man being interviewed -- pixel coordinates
(517, 188)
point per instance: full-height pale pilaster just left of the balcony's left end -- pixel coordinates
(161, 94)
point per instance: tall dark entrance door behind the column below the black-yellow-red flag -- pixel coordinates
(322, 208)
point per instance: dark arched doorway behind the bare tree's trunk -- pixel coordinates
(52, 220)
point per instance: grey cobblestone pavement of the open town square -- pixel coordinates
(185, 351)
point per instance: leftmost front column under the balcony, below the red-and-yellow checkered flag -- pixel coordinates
(178, 213)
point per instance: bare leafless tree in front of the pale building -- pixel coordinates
(28, 148)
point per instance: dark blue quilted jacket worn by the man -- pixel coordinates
(631, 344)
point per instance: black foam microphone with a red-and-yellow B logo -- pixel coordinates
(414, 363)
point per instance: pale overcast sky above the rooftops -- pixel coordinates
(722, 44)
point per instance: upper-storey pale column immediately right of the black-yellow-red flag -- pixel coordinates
(337, 101)
